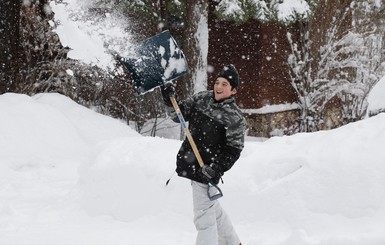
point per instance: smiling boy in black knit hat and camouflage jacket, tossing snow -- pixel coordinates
(217, 127)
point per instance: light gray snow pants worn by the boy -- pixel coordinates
(212, 223)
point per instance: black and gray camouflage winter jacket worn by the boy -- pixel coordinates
(218, 129)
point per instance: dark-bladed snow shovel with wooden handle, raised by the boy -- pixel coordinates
(160, 60)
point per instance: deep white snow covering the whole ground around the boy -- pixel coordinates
(70, 176)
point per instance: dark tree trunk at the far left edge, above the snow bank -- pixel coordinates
(9, 44)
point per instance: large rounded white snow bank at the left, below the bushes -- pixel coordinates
(52, 126)
